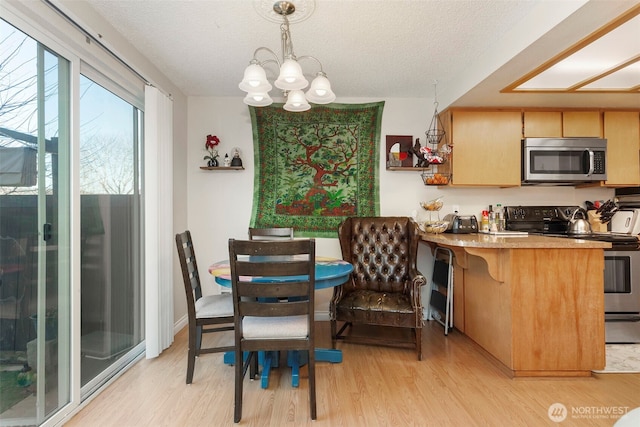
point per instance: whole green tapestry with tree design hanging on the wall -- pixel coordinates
(316, 168)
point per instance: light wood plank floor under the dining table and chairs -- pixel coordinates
(454, 385)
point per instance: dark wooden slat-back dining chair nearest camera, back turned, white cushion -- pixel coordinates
(273, 285)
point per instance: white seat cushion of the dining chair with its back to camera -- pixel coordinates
(275, 327)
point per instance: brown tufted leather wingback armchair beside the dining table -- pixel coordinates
(384, 288)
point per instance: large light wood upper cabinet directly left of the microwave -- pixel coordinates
(486, 148)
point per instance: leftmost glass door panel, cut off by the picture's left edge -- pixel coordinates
(34, 230)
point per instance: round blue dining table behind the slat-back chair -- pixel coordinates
(329, 272)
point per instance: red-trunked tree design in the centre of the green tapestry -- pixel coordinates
(319, 161)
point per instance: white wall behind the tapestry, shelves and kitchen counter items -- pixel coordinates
(220, 202)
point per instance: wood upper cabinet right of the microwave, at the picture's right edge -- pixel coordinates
(622, 130)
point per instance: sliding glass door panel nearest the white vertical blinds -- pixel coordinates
(111, 320)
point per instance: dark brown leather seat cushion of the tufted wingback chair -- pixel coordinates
(367, 300)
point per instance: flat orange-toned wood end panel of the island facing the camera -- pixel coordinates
(558, 311)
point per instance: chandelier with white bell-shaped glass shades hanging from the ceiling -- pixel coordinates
(291, 79)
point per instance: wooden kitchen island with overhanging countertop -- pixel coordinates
(534, 303)
